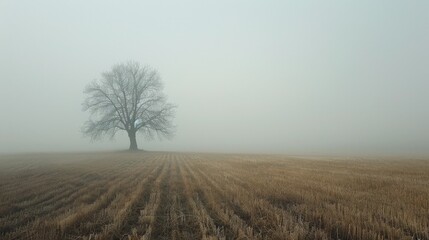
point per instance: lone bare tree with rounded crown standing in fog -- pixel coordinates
(129, 97)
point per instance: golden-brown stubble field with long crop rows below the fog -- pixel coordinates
(148, 195)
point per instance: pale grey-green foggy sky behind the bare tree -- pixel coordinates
(292, 77)
